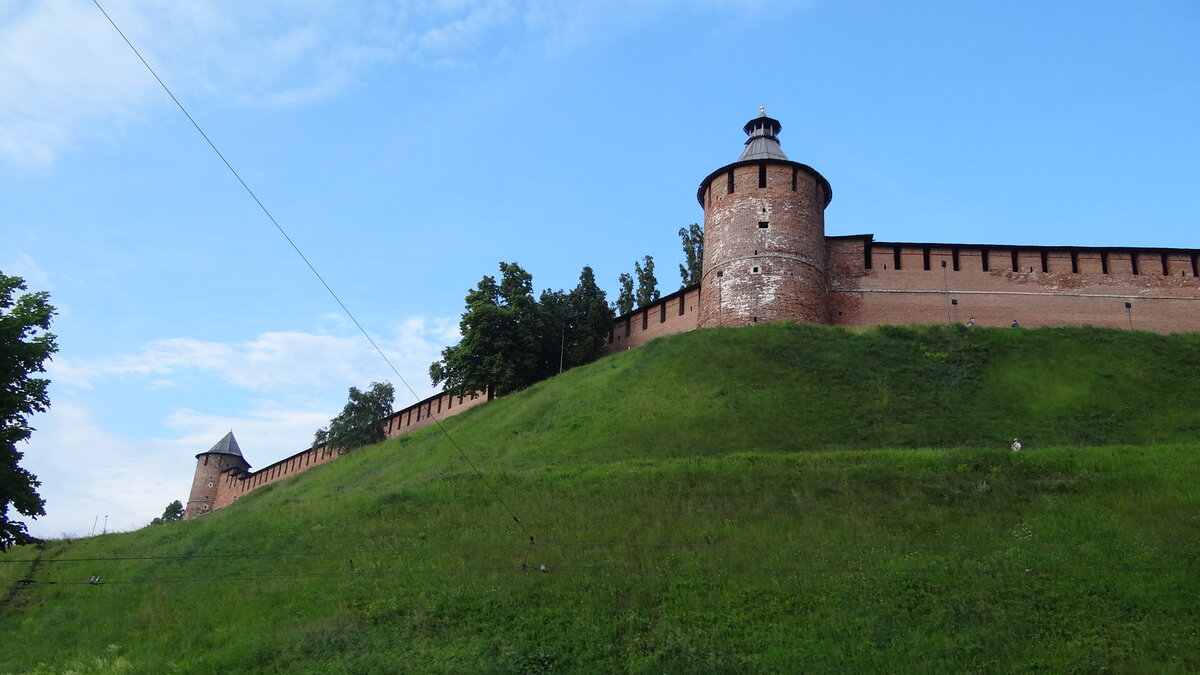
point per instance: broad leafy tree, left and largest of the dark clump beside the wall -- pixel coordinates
(501, 333)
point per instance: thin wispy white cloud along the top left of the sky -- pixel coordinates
(67, 75)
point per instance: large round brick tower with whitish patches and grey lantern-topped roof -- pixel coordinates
(765, 250)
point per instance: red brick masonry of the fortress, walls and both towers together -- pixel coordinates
(767, 259)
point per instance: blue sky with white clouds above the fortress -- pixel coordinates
(410, 147)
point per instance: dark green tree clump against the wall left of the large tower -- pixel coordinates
(511, 341)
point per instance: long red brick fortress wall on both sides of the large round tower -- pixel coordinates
(871, 284)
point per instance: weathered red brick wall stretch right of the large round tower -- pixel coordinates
(1163, 303)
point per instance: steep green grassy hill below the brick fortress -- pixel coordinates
(771, 499)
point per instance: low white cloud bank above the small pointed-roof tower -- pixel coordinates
(301, 379)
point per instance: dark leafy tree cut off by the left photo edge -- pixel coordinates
(25, 348)
